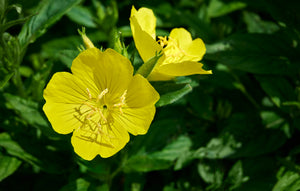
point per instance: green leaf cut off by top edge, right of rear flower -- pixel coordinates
(217, 8)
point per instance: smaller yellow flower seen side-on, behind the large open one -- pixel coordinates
(181, 52)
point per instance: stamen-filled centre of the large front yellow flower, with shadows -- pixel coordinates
(95, 116)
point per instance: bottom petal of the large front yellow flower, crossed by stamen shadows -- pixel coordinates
(105, 142)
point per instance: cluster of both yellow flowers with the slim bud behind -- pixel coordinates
(102, 101)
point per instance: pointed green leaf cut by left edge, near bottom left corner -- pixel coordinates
(8, 165)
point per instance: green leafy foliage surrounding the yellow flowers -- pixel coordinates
(237, 129)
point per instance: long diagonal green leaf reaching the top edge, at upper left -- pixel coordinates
(48, 13)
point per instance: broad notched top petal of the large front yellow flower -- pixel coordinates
(107, 69)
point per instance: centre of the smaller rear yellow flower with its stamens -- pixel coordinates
(171, 49)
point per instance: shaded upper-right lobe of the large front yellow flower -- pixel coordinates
(140, 93)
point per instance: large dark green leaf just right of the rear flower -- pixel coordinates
(257, 53)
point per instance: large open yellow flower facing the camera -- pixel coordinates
(100, 102)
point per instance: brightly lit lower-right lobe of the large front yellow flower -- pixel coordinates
(135, 120)
